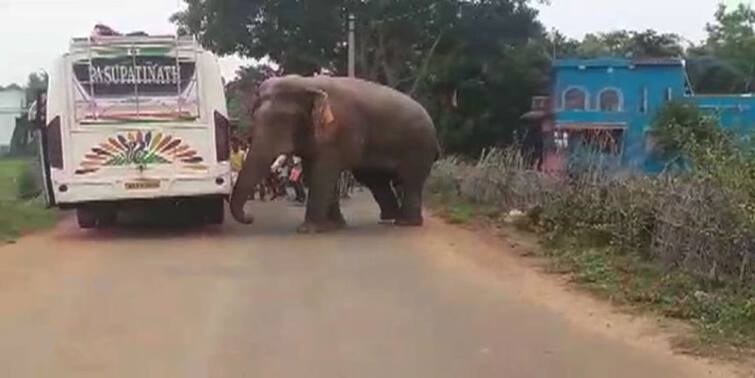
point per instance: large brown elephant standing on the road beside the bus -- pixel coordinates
(335, 124)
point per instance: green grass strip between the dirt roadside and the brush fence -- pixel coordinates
(723, 314)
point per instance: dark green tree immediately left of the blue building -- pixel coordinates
(483, 77)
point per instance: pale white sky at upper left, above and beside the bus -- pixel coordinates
(34, 32)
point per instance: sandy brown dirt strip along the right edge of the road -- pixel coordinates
(510, 257)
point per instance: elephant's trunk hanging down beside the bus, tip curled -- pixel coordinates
(256, 168)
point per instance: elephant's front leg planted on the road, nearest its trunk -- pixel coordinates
(323, 213)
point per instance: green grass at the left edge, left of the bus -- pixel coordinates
(17, 216)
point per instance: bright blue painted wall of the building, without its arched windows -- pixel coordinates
(644, 88)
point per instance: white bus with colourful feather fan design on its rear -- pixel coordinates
(135, 120)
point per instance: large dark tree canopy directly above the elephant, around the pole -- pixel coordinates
(307, 37)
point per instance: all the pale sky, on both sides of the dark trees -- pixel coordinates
(34, 32)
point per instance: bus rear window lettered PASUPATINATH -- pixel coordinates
(135, 85)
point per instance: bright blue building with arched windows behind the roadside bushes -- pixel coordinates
(610, 104)
